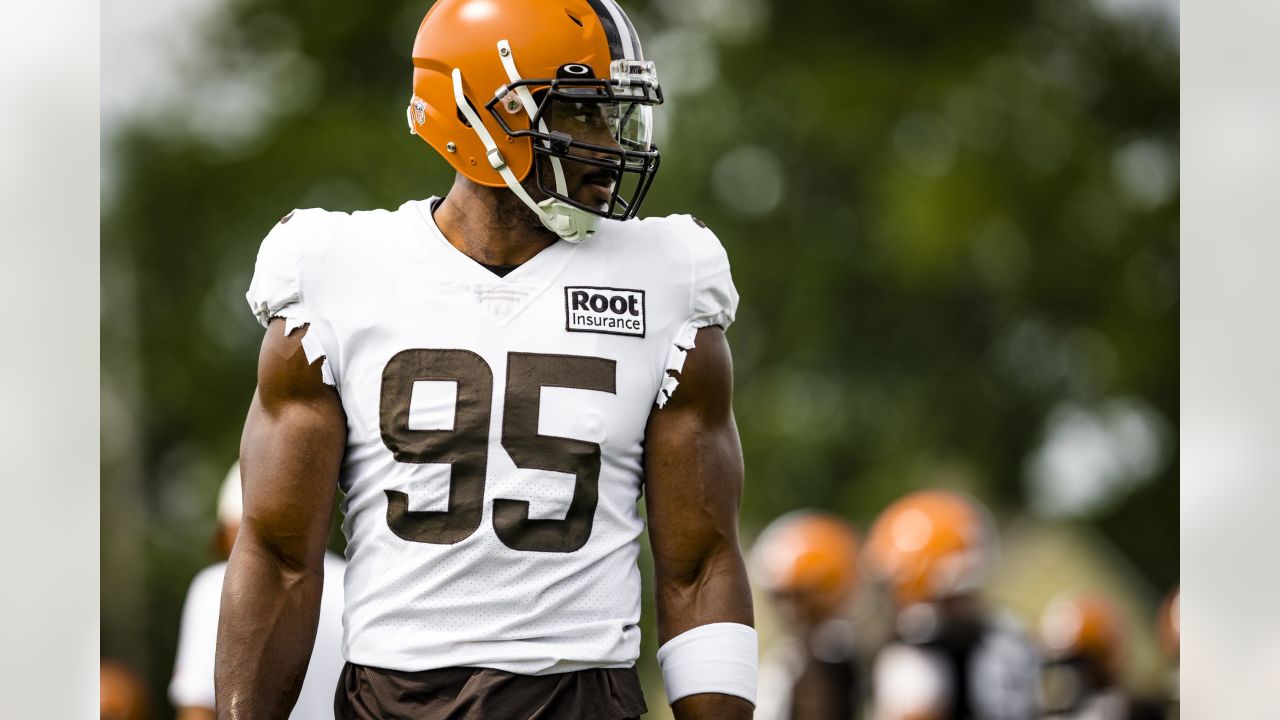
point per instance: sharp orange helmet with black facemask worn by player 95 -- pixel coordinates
(486, 75)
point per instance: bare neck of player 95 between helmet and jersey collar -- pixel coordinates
(488, 230)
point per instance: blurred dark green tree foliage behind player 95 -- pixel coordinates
(945, 221)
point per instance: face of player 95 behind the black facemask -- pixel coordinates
(586, 122)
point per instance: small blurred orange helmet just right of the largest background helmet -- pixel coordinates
(1085, 627)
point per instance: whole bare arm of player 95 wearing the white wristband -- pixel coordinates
(694, 486)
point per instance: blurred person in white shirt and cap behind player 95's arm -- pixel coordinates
(193, 687)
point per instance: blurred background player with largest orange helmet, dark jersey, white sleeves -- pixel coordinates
(950, 657)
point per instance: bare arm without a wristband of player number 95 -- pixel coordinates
(291, 453)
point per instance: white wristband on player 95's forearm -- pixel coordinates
(720, 658)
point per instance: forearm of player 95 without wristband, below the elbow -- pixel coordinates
(268, 625)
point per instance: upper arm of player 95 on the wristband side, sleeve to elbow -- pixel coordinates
(694, 463)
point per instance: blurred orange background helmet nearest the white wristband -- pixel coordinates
(810, 557)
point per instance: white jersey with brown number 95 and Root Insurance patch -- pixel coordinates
(496, 426)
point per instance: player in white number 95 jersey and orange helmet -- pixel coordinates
(493, 377)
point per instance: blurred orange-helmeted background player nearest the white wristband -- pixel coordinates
(808, 564)
